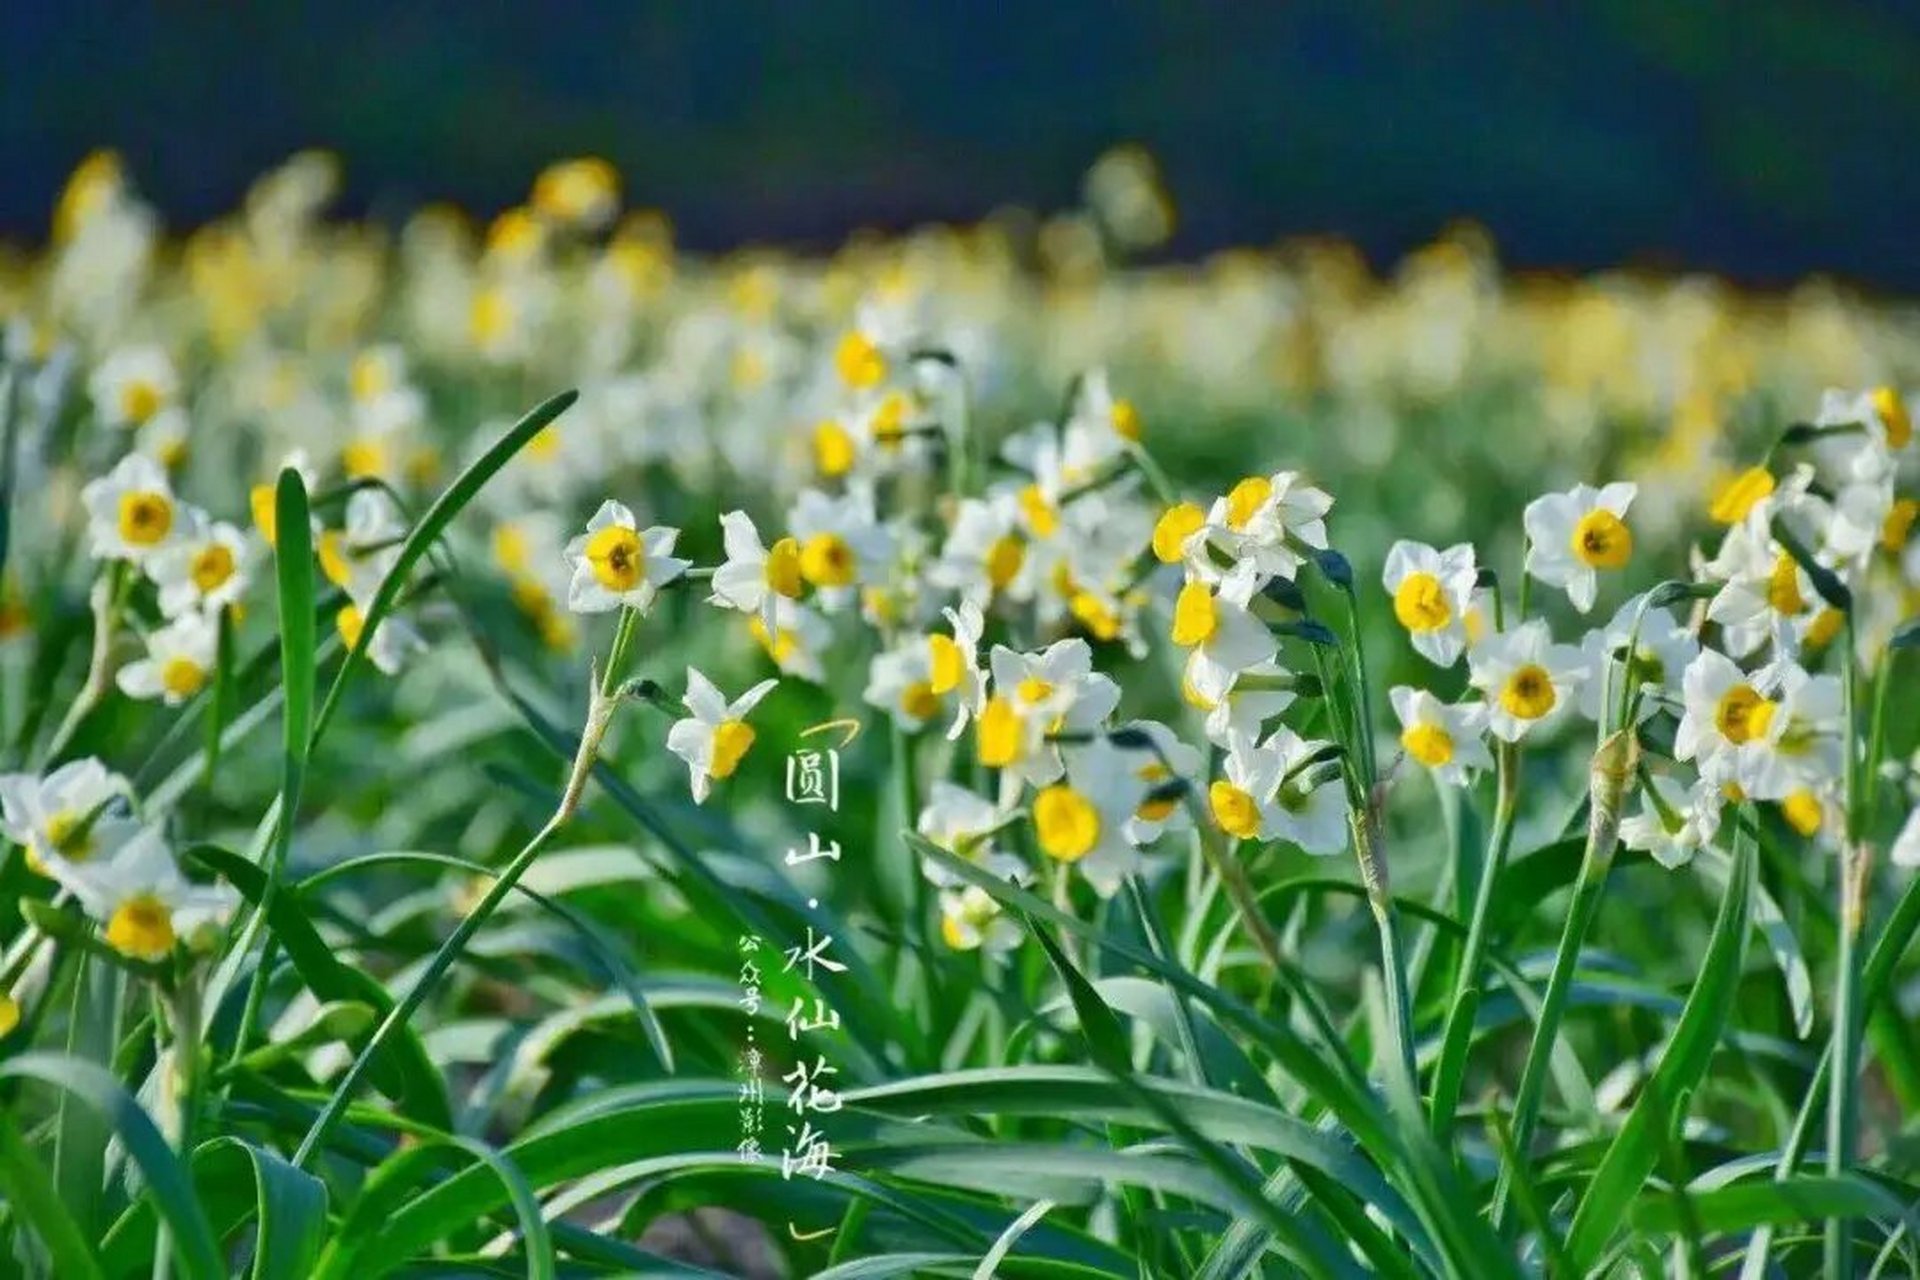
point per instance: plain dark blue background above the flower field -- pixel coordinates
(1764, 139)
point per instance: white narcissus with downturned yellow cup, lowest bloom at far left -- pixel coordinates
(143, 903)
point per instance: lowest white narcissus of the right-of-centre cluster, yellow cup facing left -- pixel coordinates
(1282, 790)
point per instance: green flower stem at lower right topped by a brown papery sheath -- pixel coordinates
(1614, 770)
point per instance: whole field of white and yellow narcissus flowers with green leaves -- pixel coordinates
(980, 753)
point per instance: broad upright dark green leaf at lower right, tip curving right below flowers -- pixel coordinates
(1637, 1149)
